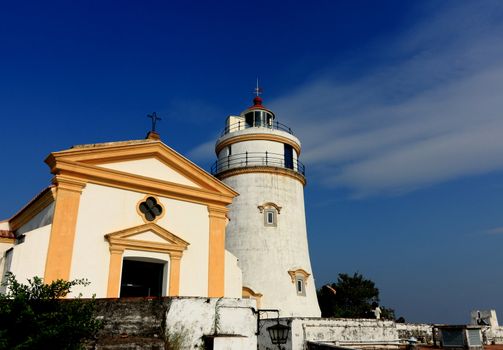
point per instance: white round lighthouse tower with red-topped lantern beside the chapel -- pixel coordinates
(258, 157)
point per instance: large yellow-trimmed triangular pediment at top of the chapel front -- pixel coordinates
(146, 160)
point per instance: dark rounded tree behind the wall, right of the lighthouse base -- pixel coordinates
(351, 297)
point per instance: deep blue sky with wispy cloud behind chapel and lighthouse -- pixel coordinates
(398, 106)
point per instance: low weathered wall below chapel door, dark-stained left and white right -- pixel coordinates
(148, 323)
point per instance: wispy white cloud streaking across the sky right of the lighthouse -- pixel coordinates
(432, 112)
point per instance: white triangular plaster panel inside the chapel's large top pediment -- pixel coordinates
(150, 167)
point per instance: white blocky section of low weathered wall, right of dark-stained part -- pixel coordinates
(193, 318)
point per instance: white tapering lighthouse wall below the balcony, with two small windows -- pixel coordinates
(266, 254)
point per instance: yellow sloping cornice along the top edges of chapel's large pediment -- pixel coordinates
(120, 151)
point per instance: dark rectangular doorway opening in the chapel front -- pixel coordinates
(141, 279)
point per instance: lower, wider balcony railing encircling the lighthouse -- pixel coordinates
(251, 159)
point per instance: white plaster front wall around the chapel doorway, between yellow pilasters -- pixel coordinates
(106, 210)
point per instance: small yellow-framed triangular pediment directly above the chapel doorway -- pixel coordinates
(149, 237)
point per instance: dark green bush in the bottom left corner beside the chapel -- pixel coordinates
(34, 316)
